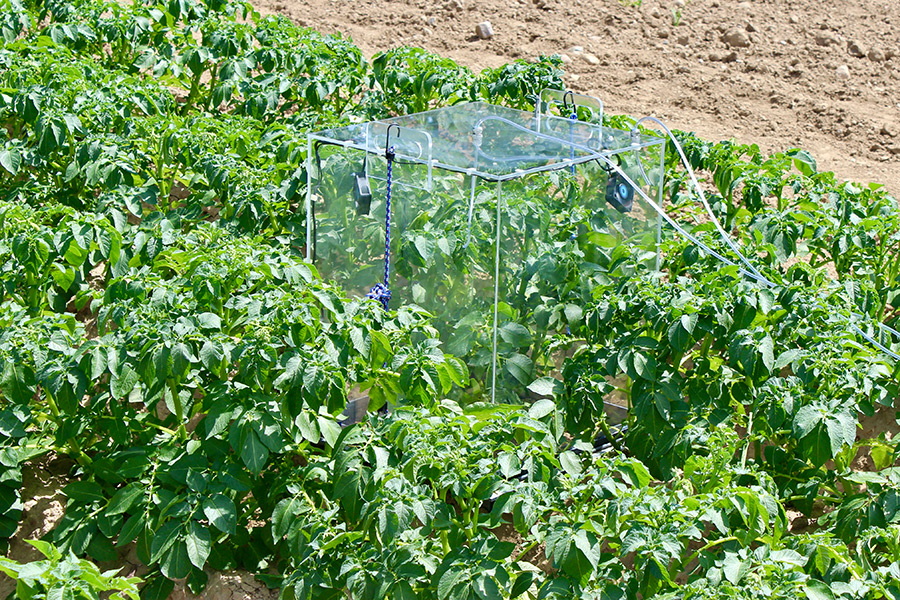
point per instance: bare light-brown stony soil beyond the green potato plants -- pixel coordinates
(823, 75)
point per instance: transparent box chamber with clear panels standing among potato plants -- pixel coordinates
(489, 209)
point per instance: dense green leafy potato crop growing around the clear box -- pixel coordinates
(165, 342)
